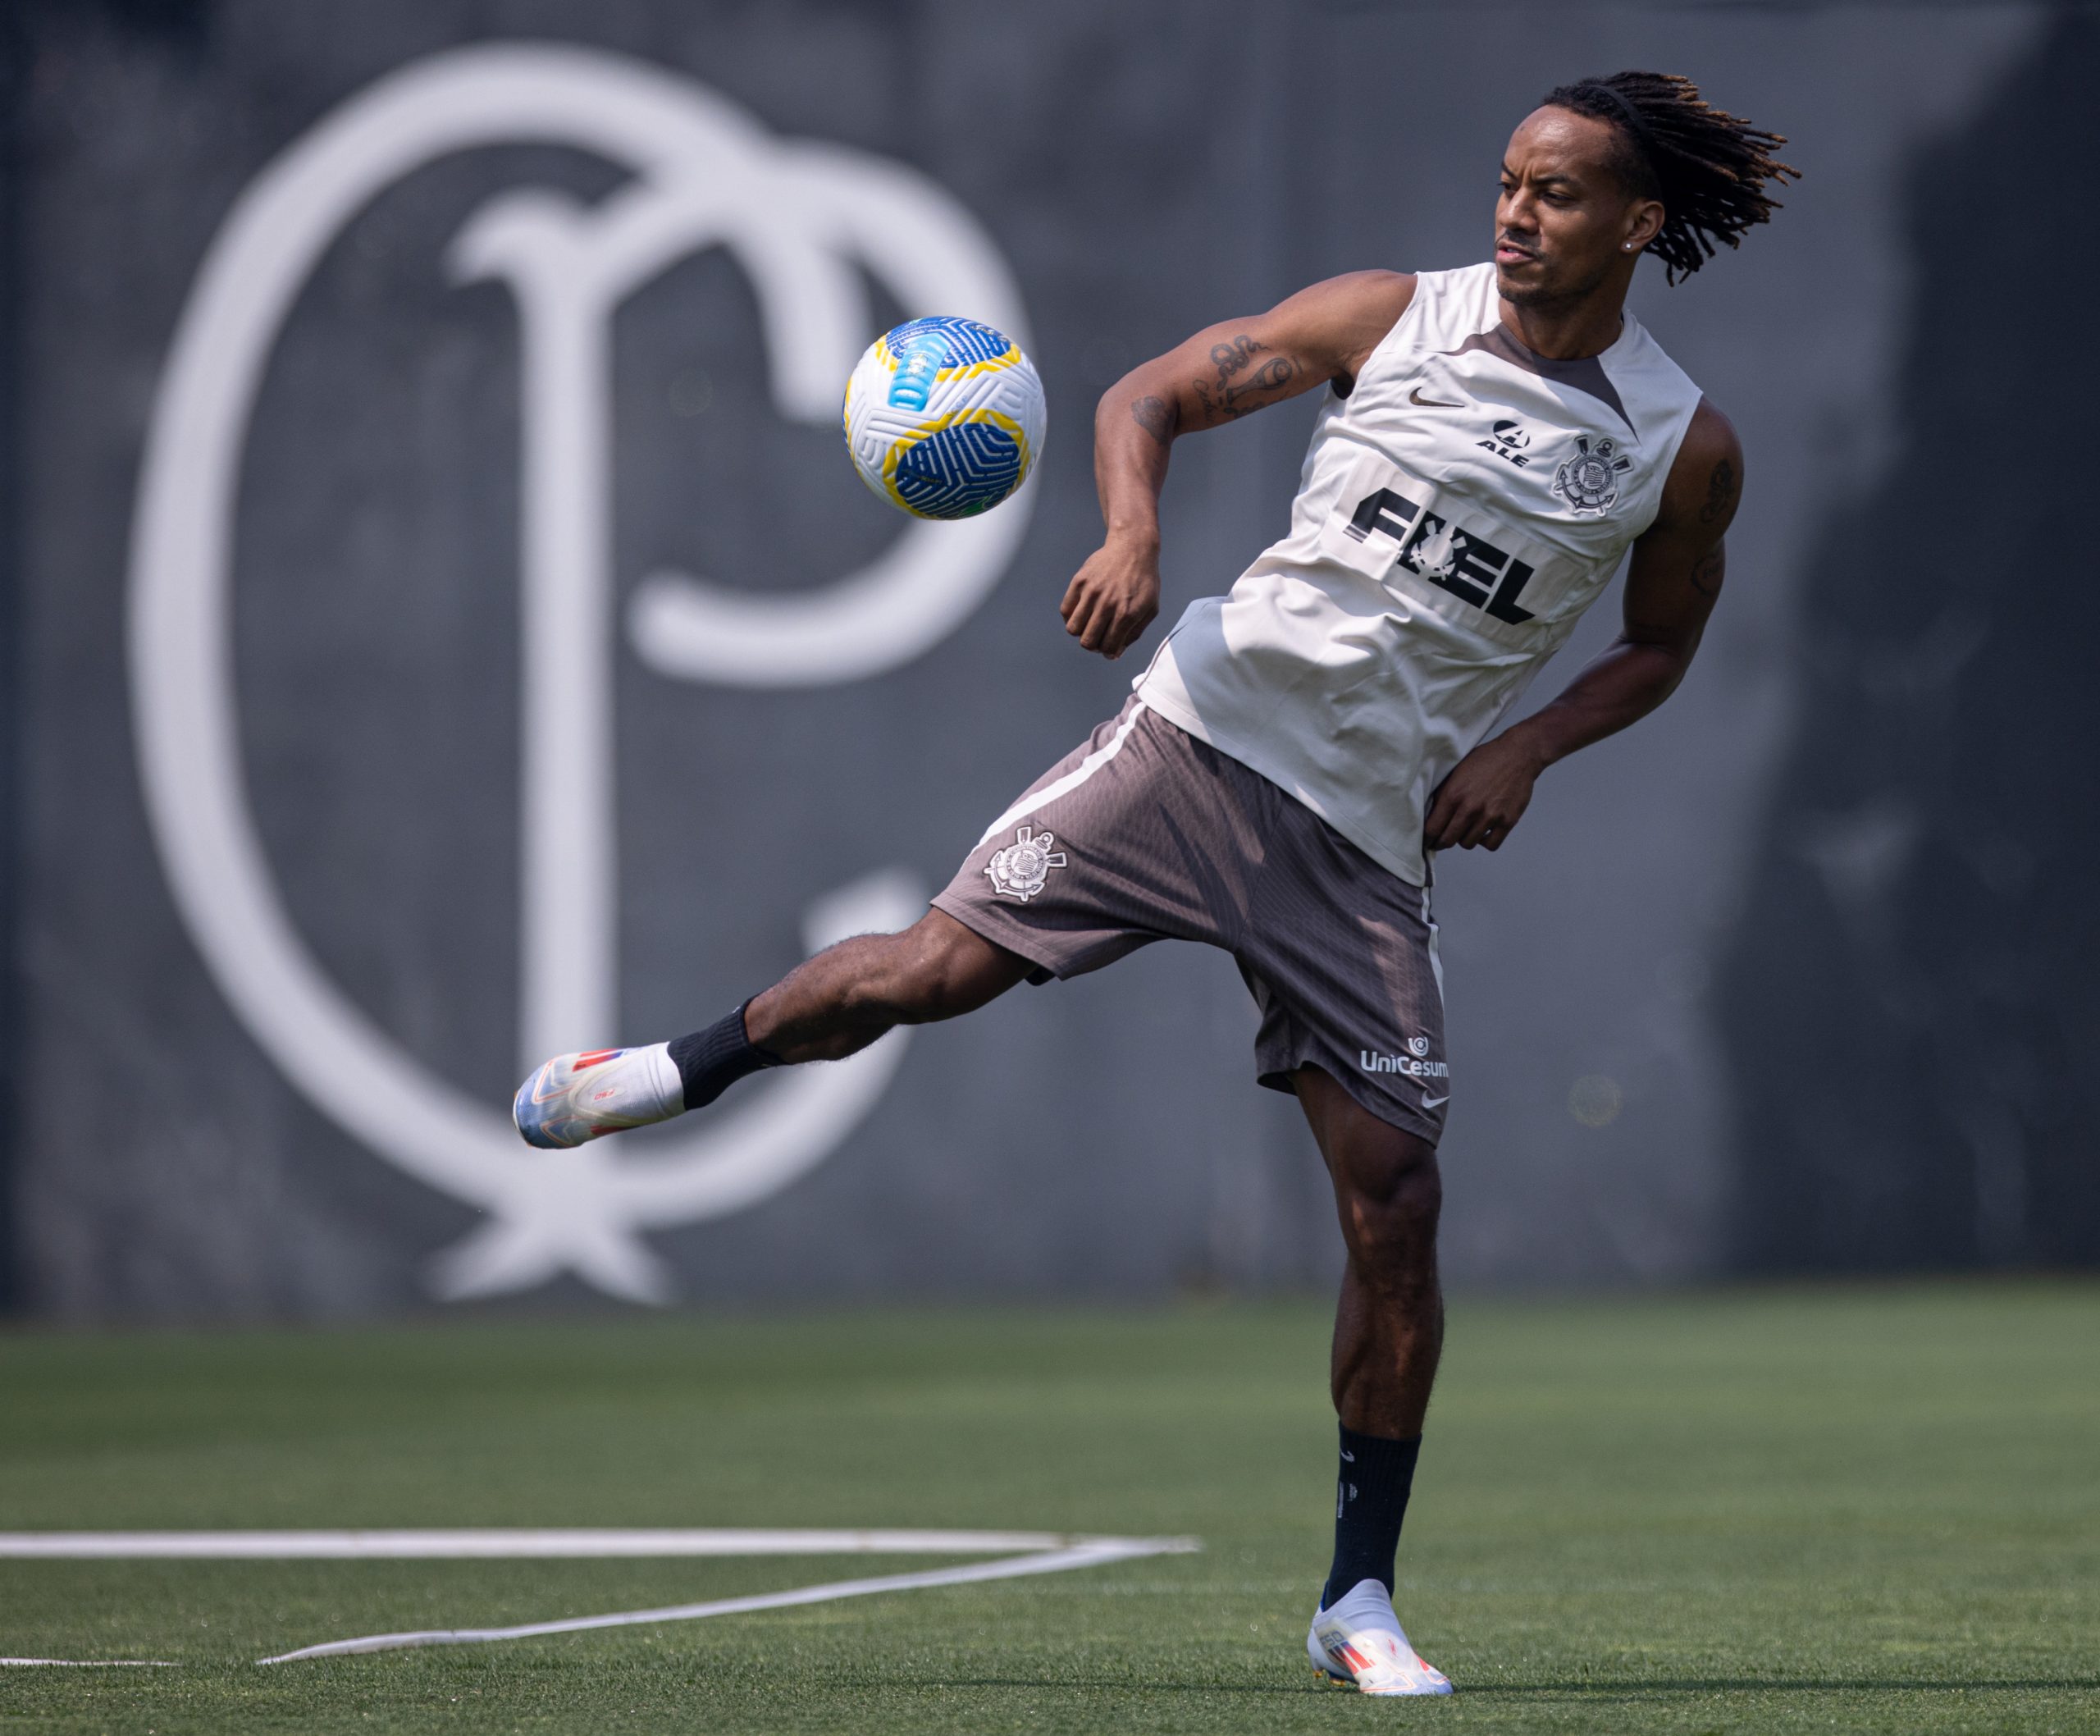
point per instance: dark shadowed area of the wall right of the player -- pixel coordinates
(1929, 860)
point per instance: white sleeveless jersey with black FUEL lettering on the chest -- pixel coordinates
(1456, 515)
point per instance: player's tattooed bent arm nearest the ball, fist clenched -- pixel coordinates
(1230, 371)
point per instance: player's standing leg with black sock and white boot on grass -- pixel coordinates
(1387, 1340)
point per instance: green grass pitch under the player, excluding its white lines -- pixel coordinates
(1763, 1512)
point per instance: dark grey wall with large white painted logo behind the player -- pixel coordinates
(1792, 977)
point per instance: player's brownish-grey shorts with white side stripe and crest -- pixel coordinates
(1148, 834)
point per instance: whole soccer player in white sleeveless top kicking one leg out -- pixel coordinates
(1492, 444)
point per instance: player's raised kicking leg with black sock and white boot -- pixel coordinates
(826, 1009)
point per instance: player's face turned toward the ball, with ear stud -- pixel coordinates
(1566, 219)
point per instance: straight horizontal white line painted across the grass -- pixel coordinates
(421, 1546)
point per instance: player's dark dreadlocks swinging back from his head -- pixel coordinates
(1708, 167)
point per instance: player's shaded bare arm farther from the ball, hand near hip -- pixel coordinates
(1673, 583)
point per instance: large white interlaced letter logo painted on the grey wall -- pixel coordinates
(803, 219)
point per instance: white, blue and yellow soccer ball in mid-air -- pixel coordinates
(944, 417)
